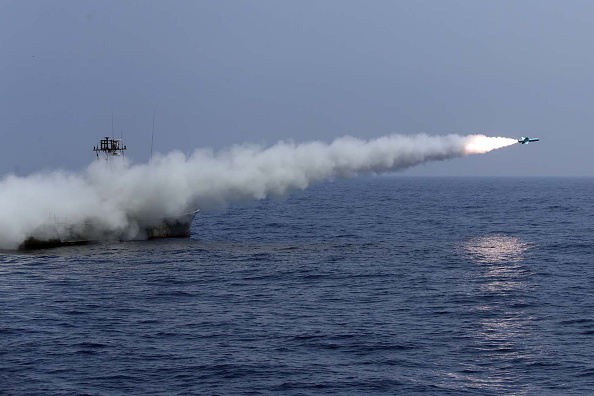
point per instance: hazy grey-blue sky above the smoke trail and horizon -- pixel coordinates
(221, 72)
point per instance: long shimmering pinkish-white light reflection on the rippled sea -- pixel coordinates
(503, 326)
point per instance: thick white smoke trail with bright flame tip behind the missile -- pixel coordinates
(113, 198)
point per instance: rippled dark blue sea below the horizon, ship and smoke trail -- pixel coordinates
(369, 286)
